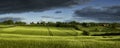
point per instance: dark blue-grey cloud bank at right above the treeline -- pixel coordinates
(103, 14)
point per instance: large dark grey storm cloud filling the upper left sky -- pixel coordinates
(13, 6)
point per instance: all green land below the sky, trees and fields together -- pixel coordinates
(59, 35)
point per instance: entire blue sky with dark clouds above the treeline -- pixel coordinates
(60, 10)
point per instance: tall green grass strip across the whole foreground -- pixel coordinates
(30, 41)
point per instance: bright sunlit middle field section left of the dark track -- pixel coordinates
(25, 30)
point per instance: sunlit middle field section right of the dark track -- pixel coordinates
(61, 31)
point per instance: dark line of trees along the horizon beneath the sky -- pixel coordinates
(62, 24)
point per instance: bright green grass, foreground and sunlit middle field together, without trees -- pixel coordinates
(40, 37)
